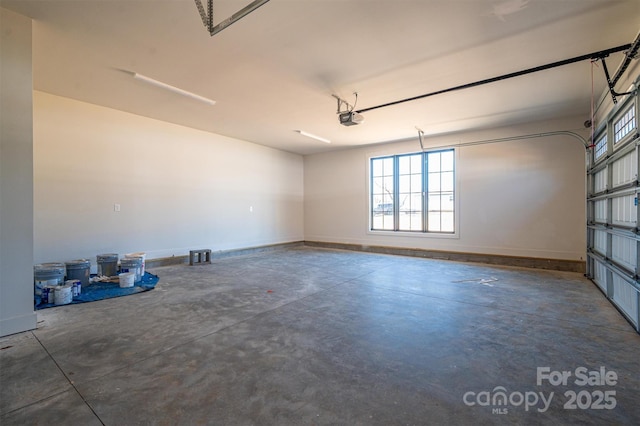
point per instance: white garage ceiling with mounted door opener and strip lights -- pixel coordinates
(274, 71)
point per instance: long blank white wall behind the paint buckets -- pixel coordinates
(178, 188)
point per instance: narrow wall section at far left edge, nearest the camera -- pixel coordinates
(16, 175)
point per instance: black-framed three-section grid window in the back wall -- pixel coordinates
(413, 192)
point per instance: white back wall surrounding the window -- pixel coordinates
(522, 198)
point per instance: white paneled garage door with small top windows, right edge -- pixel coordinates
(613, 236)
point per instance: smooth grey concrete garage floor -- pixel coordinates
(308, 336)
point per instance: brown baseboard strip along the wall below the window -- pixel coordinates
(493, 259)
